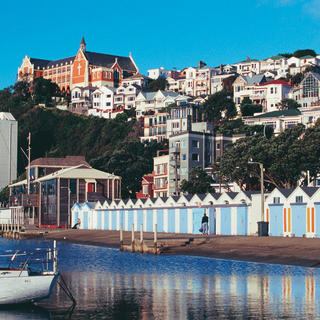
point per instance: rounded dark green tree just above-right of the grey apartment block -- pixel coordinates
(219, 106)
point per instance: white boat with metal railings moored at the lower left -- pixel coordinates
(27, 277)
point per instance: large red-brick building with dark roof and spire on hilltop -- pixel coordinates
(84, 69)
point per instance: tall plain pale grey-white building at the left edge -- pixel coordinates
(8, 149)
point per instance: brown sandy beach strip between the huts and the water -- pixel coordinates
(278, 250)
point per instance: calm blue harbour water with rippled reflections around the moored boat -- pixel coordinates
(108, 284)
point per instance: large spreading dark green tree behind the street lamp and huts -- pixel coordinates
(282, 157)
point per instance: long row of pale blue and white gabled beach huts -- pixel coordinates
(290, 212)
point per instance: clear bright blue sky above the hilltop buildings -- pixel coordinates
(157, 33)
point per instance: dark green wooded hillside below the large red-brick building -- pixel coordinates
(109, 145)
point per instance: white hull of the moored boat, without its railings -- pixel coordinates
(24, 288)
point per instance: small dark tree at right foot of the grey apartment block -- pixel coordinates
(199, 182)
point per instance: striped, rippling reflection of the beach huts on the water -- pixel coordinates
(149, 296)
